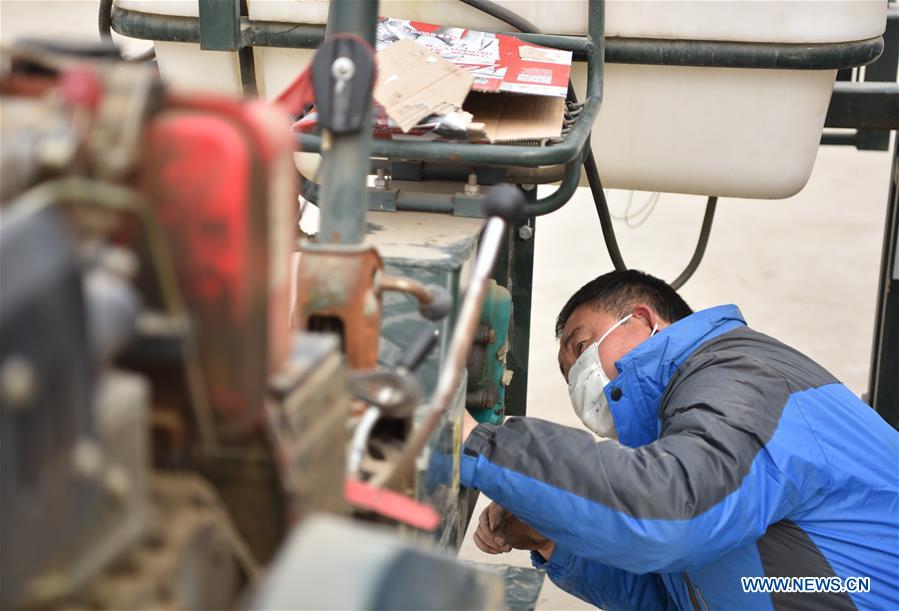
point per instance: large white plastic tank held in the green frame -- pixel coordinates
(732, 132)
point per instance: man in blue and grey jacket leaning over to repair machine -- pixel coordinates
(724, 454)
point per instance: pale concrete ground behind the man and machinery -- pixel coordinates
(803, 269)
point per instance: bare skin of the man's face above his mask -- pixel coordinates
(585, 326)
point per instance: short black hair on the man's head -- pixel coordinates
(618, 292)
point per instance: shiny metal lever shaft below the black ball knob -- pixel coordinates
(457, 355)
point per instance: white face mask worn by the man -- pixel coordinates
(586, 385)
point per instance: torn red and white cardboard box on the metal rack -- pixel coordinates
(517, 89)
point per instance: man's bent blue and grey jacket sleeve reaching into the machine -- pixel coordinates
(711, 483)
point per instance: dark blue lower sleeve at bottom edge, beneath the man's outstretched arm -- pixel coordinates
(606, 587)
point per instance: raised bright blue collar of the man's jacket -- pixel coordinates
(644, 372)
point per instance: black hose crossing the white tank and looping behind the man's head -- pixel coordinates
(599, 197)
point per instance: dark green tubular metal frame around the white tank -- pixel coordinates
(594, 48)
